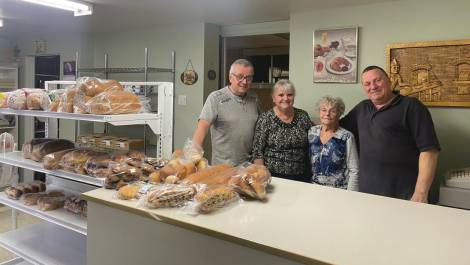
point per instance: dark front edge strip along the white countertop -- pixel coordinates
(202, 230)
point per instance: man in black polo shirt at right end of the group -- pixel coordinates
(398, 147)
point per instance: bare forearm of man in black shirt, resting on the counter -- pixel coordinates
(427, 168)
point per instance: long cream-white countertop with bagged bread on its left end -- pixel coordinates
(311, 223)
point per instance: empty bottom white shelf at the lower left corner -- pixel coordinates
(47, 244)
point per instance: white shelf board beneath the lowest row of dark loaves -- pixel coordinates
(59, 217)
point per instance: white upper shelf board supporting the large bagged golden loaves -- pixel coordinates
(151, 119)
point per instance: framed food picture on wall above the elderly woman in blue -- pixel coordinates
(335, 55)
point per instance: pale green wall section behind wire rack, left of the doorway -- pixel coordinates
(126, 49)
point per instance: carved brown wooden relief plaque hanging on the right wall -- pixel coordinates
(435, 72)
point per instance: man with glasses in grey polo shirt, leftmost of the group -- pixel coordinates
(231, 115)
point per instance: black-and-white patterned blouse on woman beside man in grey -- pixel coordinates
(283, 146)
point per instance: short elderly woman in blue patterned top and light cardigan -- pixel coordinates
(333, 153)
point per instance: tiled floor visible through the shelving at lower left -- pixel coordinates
(6, 225)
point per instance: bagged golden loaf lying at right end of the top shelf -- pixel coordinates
(115, 102)
